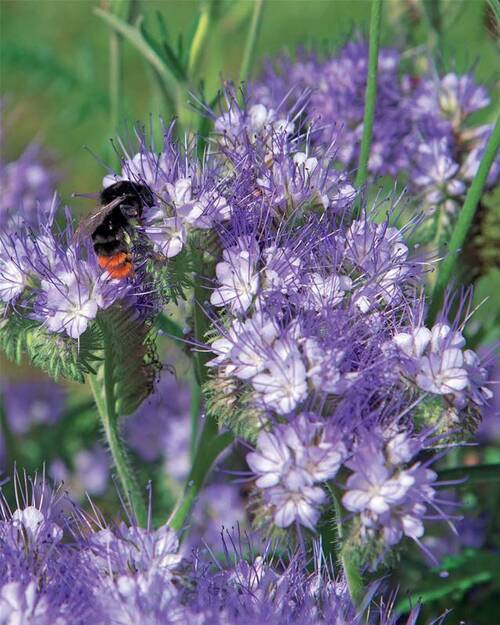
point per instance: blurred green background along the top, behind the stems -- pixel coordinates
(55, 62)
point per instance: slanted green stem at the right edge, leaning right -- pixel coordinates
(464, 221)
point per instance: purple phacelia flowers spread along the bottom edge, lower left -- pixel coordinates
(60, 565)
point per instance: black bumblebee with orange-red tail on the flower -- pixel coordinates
(110, 225)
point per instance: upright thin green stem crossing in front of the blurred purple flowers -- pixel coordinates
(370, 93)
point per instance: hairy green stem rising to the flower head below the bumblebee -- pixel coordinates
(103, 391)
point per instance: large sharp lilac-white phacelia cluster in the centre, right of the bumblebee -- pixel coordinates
(314, 306)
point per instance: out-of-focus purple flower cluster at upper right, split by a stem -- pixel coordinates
(422, 128)
